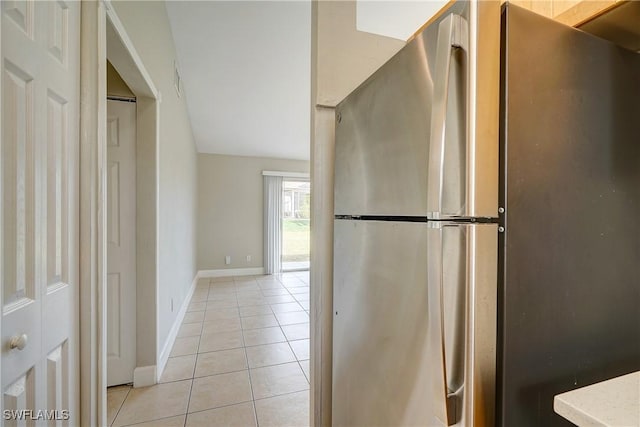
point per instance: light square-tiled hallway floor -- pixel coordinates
(241, 359)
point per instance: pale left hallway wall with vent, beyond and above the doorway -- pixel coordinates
(147, 24)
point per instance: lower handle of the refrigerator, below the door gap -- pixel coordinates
(442, 401)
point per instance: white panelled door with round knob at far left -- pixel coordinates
(39, 186)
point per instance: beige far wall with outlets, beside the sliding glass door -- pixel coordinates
(230, 208)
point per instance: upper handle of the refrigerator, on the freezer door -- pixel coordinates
(453, 34)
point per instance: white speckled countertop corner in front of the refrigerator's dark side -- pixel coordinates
(611, 403)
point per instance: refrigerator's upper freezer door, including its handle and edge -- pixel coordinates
(384, 127)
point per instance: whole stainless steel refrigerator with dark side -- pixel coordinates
(487, 234)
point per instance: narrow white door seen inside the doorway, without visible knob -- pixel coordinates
(121, 249)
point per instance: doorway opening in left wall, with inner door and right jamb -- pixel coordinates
(130, 158)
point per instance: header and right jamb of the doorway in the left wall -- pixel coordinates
(124, 58)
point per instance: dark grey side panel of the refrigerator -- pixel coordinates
(571, 190)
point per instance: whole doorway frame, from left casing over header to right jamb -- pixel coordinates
(99, 24)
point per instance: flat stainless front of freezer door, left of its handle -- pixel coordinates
(382, 138)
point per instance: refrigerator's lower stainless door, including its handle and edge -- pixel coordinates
(414, 304)
